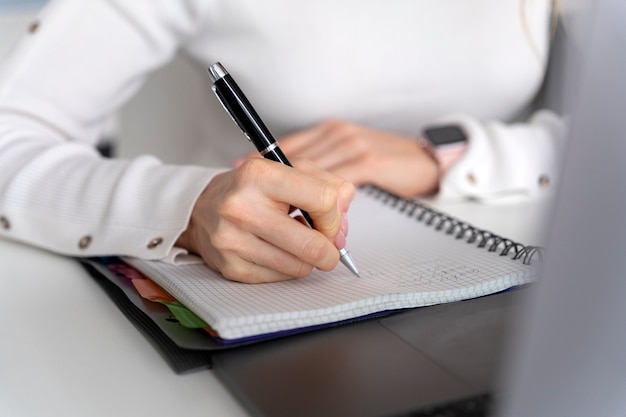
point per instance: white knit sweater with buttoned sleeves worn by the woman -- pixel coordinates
(396, 65)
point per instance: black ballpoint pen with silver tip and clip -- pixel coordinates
(241, 111)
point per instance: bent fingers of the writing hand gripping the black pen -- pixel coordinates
(304, 186)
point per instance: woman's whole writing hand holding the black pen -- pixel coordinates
(241, 227)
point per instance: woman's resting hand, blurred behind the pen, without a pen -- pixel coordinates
(364, 155)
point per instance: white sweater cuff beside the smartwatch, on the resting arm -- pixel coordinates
(506, 161)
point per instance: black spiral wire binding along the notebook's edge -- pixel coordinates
(457, 228)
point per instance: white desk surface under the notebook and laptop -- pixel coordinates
(111, 369)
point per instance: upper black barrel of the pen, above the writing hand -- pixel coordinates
(237, 105)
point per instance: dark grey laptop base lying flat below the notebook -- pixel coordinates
(392, 366)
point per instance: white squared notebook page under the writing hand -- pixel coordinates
(403, 263)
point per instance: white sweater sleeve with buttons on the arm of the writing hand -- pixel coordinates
(78, 63)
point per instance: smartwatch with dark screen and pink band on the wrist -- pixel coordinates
(446, 144)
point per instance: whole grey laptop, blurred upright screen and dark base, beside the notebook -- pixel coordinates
(553, 349)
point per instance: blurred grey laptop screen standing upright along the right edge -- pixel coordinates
(568, 358)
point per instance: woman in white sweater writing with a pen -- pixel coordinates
(352, 84)
